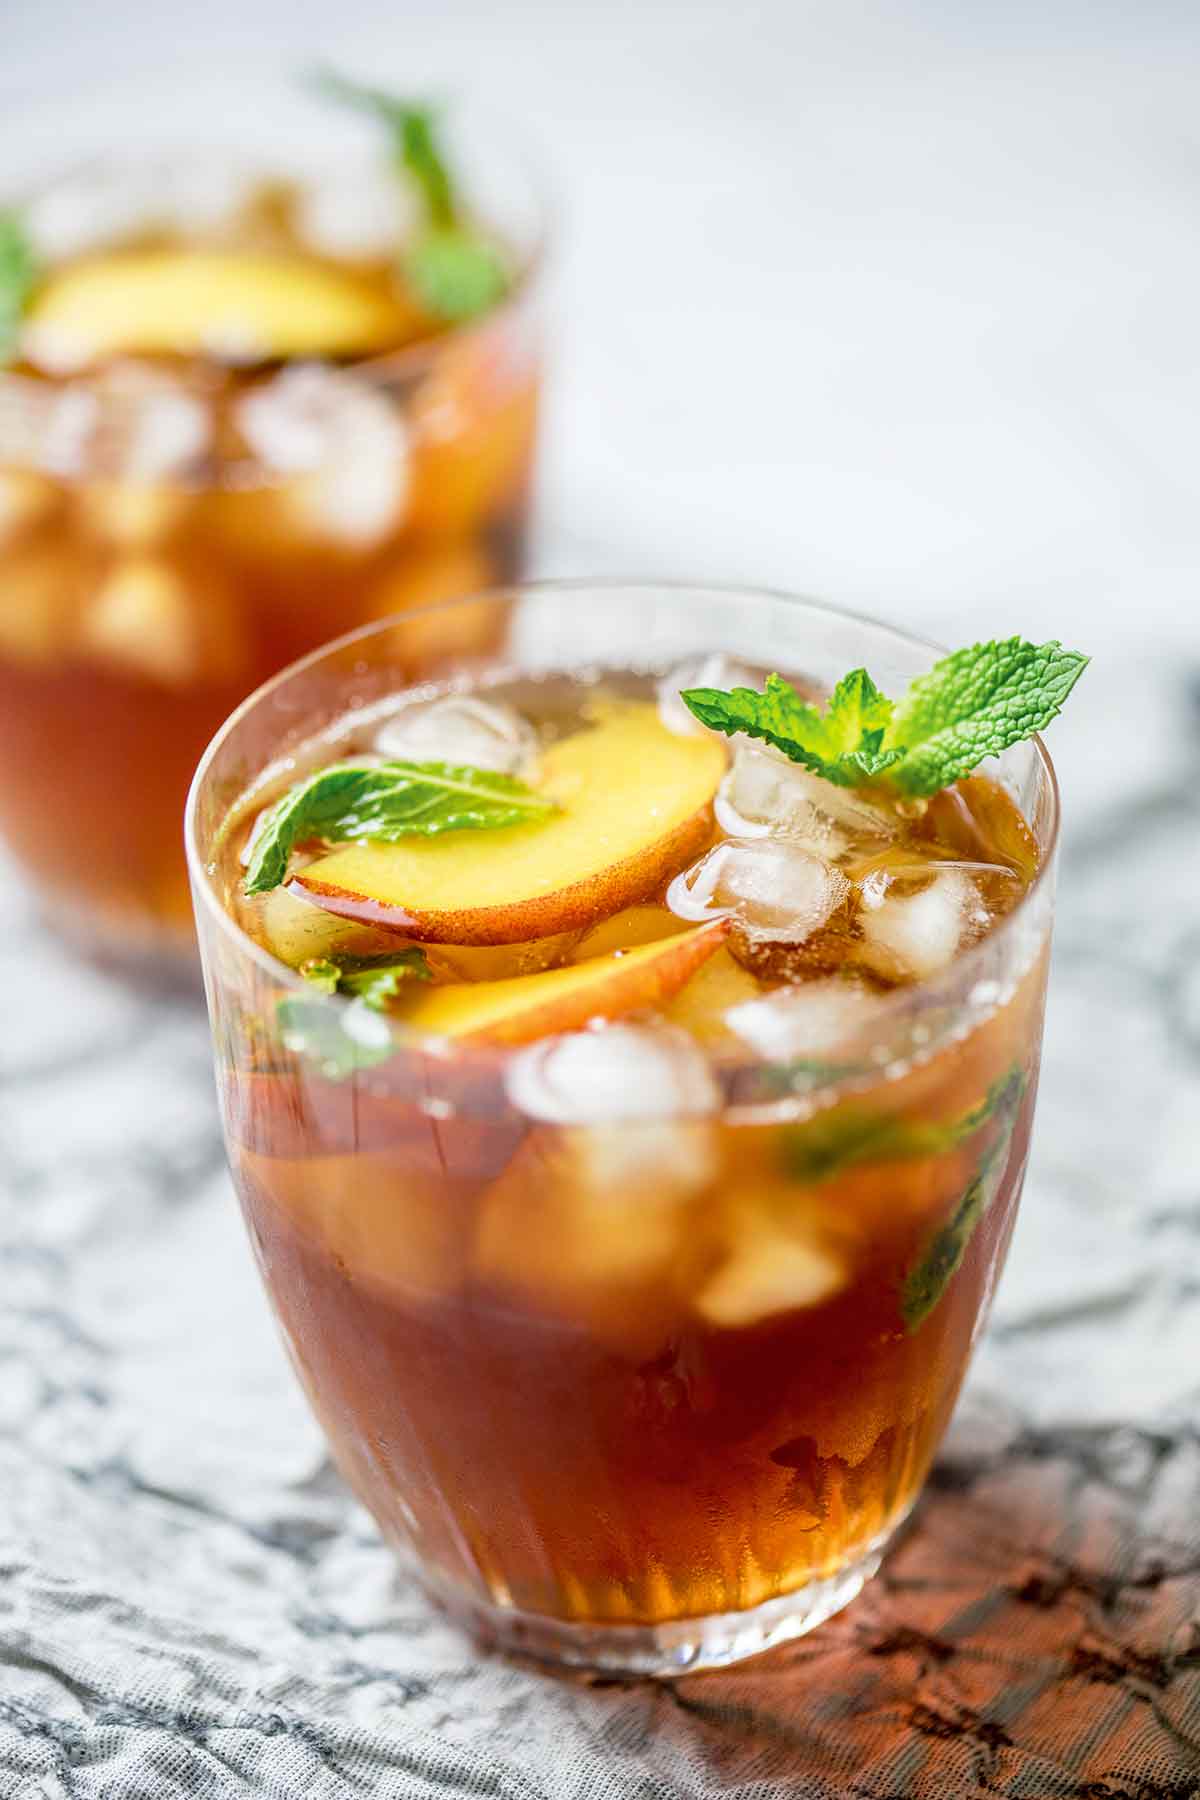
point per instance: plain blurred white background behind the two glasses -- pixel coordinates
(884, 301)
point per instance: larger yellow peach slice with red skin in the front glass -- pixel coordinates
(636, 807)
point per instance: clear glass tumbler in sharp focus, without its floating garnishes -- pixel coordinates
(629, 1488)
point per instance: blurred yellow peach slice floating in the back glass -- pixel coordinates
(240, 305)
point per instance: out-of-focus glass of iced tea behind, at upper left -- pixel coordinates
(228, 435)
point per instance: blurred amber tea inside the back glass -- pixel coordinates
(238, 575)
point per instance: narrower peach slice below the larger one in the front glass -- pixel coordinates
(562, 1000)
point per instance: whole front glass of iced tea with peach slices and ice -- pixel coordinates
(634, 1250)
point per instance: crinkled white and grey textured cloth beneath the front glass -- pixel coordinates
(192, 1605)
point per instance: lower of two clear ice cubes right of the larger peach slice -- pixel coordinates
(776, 892)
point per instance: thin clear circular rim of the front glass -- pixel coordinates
(442, 1048)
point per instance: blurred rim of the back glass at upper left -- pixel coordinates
(404, 363)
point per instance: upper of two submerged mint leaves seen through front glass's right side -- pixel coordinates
(854, 1135)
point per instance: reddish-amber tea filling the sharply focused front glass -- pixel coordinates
(501, 1324)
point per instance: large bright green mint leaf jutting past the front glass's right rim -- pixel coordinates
(976, 705)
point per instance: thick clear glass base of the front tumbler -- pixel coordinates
(679, 1646)
